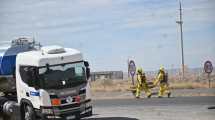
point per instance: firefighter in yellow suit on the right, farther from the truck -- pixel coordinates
(162, 80)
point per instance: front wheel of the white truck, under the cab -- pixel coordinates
(29, 113)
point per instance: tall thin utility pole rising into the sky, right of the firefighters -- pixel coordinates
(180, 22)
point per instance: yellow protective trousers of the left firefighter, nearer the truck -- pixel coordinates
(142, 86)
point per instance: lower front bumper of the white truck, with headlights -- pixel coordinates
(67, 112)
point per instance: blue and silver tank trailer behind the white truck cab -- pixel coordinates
(8, 62)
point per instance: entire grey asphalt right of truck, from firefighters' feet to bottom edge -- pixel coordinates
(178, 108)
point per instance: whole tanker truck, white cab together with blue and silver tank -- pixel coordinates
(43, 83)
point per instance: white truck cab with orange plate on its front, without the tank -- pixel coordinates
(52, 83)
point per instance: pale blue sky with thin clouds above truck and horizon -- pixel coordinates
(109, 32)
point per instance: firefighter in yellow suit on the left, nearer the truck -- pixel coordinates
(141, 84)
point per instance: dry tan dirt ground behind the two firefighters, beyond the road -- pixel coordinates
(124, 85)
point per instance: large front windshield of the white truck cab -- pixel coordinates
(62, 76)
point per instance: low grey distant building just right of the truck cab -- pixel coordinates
(106, 75)
